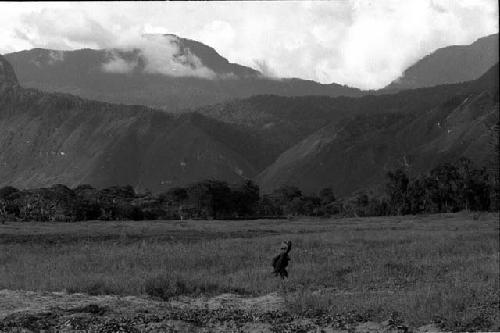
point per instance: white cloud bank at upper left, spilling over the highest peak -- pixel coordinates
(161, 54)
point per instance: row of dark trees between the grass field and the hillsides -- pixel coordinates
(446, 188)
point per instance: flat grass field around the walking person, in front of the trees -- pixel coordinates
(425, 268)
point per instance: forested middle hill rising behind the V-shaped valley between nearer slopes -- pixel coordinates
(282, 122)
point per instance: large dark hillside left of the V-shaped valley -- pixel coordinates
(50, 138)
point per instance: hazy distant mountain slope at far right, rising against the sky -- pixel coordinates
(452, 64)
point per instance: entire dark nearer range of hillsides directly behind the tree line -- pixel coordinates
(308, 141)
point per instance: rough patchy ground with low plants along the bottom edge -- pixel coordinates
(25, 311)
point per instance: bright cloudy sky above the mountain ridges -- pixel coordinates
(360, 43)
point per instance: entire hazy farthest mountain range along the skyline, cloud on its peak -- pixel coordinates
(175, 74)
